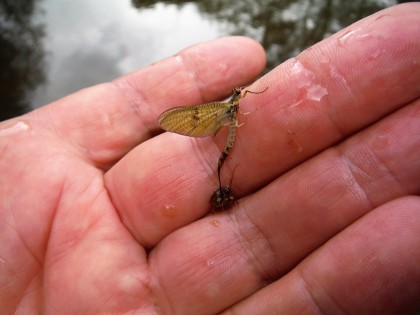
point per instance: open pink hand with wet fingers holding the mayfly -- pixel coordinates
(101, 214)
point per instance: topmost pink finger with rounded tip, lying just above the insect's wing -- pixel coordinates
(108, 120)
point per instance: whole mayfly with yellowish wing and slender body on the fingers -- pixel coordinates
(205, 120)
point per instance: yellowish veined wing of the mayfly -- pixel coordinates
(195, 121)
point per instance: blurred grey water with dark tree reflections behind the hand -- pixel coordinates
(51, 48)
